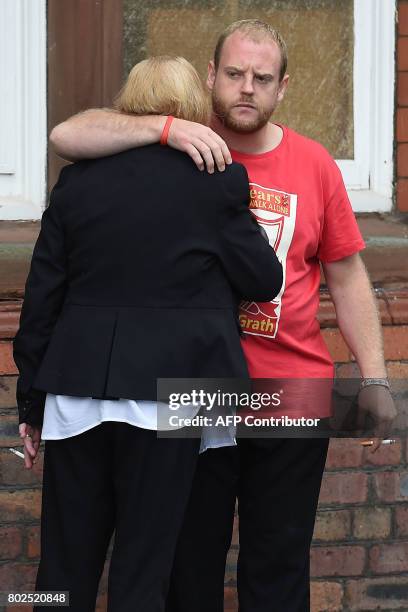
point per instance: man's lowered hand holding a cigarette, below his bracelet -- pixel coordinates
(375, 403)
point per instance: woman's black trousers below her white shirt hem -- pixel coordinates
(113, 477)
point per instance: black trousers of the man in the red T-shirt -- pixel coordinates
(277, 482)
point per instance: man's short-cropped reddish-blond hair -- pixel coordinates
(257, 30)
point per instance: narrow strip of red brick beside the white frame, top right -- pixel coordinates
(402, 110)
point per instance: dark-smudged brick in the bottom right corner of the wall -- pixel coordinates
(386, 593)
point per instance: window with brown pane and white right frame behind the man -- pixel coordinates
(341, 62)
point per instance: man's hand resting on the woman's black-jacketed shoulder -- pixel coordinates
(201, 143)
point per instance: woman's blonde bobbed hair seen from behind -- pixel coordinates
(164, 85)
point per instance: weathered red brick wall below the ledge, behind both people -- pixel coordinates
(359, 559)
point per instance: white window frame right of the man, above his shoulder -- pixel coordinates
(369, 176)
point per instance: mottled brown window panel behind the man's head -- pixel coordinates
(320, 39)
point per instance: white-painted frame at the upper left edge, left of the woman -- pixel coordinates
(23, 130)
